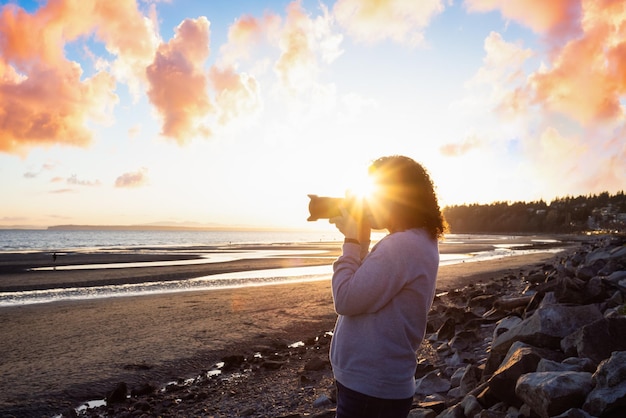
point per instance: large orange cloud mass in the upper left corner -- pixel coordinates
(45, 98)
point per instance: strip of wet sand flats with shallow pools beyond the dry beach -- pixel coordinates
(22, 272)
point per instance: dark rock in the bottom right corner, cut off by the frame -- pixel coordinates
(609, 393)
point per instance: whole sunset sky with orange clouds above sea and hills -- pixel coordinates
(231, 112)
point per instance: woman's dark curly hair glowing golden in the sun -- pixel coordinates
(408, 185)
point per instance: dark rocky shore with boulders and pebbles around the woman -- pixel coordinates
(549, 341)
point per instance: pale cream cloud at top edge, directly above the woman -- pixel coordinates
(377, 20)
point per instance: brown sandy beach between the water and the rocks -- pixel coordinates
(55, 355)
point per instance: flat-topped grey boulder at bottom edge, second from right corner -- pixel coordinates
(552, 393)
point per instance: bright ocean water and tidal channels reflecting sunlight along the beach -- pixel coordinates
(203, 243)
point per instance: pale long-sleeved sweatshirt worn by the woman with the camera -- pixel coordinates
(383, 303)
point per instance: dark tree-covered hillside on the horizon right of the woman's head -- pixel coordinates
(601, 212)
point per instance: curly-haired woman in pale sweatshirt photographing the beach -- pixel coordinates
(382, 297)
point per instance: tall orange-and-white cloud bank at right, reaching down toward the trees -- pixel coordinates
(566, 110)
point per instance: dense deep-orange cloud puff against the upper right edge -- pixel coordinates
(588, 93)
